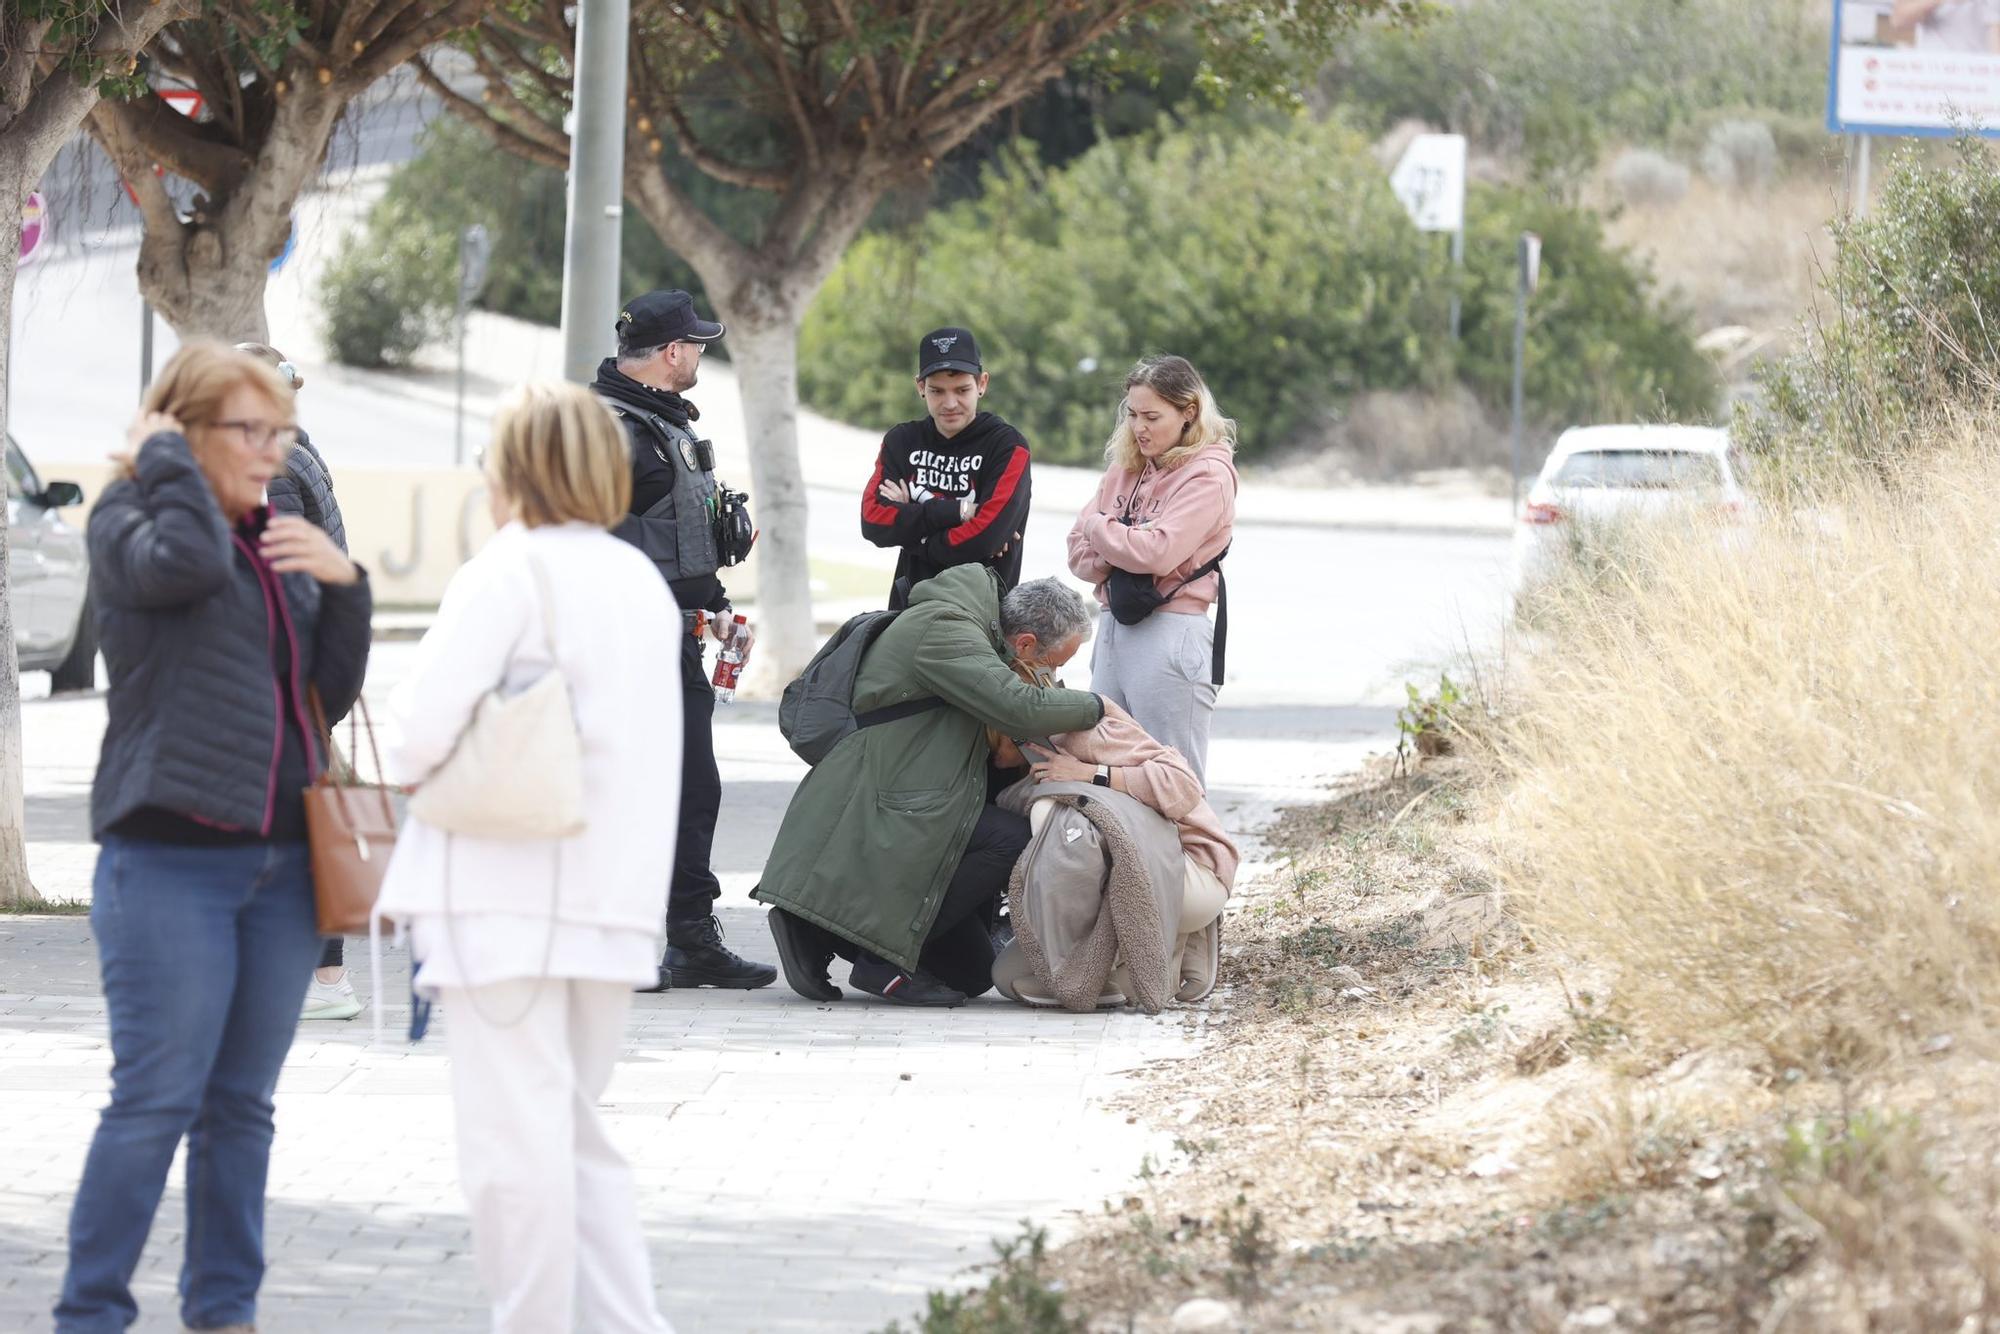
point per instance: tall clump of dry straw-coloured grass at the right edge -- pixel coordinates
(1755, 779)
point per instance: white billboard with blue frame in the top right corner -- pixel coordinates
(1915, 67)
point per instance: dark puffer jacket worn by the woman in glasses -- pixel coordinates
(189, 615)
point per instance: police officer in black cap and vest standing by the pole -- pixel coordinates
(691, 529)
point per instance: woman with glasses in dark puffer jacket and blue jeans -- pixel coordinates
(217, 623)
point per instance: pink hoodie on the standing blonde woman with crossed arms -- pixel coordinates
(1183, 517)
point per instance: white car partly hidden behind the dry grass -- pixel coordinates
(1601, 477)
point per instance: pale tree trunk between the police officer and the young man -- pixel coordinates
(765, 353)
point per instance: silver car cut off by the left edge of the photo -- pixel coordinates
(49, 579)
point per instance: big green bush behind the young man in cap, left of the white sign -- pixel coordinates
(1279, 263)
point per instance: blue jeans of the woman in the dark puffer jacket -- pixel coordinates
(205, 955)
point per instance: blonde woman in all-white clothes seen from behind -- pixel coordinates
(535, 945)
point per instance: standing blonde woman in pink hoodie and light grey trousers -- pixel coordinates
(1151, 541)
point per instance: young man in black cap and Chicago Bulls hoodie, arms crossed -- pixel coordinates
(953, 487)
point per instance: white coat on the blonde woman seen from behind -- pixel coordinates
(619, 641)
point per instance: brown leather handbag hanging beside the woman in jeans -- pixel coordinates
(351, 829)
